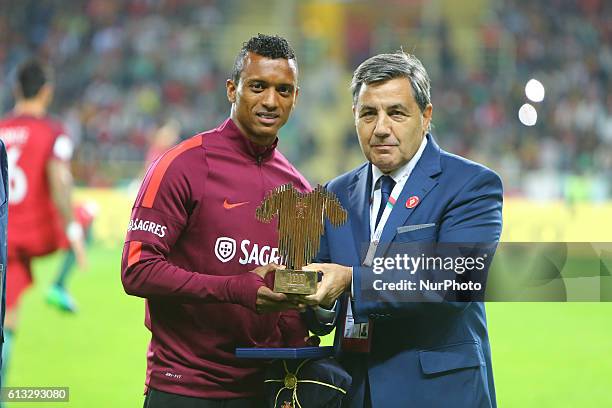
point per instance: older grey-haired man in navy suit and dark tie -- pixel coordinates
(405, 354)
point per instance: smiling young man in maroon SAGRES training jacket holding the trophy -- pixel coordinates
(193, 239)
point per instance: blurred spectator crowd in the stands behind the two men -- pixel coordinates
(124, 69)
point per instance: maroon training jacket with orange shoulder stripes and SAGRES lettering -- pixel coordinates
(191, 241)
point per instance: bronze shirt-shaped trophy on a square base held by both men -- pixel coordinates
(300, 226)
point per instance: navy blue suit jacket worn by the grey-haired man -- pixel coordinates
(423, 355)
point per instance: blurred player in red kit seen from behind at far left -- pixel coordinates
(40, 183)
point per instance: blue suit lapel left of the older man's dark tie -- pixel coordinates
(359, 203)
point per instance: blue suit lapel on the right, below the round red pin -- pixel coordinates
(422, 180)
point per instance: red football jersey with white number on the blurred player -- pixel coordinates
(34, 223)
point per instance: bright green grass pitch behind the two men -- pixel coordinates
(544, 355)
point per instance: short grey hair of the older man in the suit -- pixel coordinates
(383, 67)
